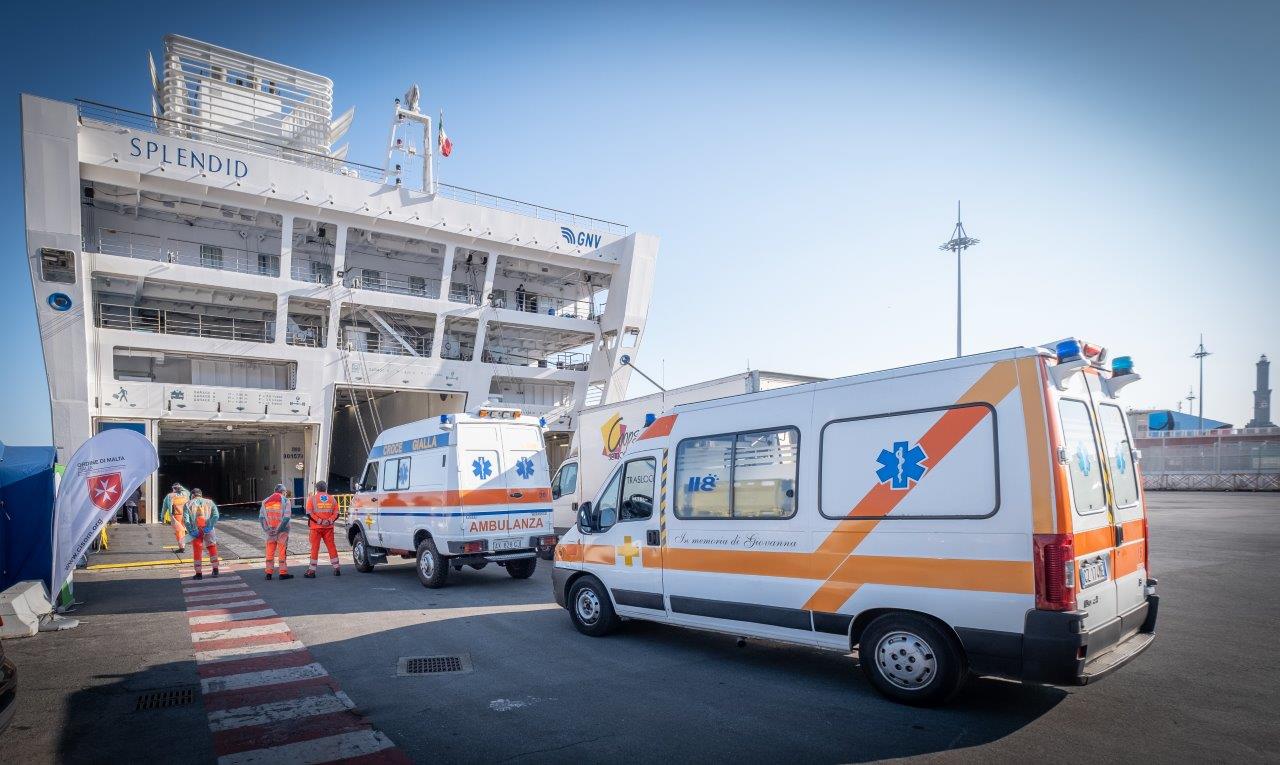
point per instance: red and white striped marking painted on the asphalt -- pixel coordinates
(267, 697)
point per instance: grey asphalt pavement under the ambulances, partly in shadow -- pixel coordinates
(534, 690)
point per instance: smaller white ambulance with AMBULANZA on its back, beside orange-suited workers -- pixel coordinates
(452, 492)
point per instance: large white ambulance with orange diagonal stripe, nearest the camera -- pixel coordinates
(975, 516)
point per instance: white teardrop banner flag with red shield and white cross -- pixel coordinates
(99, 478)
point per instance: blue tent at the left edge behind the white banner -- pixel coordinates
(26, 514)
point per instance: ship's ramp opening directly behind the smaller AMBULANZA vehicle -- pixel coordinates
(362, 414)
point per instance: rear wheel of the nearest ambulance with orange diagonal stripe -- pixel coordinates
(912, 661)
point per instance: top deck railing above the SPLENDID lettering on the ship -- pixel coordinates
(115, 116)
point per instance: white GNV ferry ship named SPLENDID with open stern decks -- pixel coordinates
(218, 277)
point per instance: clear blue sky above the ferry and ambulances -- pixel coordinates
(802, 163)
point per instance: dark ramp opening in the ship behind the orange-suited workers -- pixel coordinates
(235, 464)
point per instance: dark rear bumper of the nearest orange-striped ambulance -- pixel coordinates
(1057, 651)
